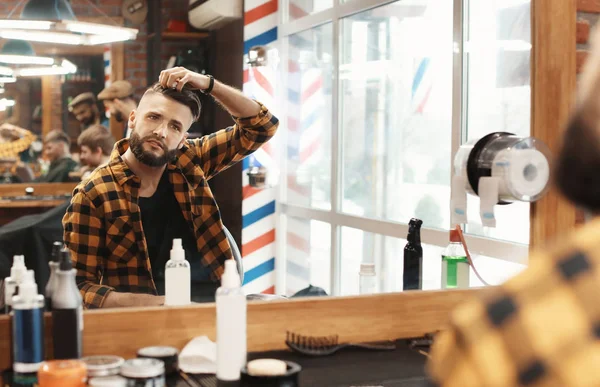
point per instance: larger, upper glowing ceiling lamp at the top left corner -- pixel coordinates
(53, 21)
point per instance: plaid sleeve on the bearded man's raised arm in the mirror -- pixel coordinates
(219, 150)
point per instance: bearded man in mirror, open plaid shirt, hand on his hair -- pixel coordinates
(122, 219)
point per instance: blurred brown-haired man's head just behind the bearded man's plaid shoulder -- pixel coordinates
(95, 144)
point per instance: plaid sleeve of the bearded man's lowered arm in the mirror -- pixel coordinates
(83, 235)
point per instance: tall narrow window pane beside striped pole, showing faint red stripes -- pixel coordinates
(308, 117)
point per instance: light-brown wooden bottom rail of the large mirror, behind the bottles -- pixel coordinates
(355, 319)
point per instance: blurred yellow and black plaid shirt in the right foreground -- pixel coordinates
(541, 328)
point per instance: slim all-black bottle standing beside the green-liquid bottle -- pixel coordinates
(413, 257)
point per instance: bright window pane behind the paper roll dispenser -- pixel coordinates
(497, 81)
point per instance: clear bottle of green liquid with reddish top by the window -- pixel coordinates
(455, 265)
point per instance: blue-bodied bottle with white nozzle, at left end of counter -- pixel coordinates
(28, 326)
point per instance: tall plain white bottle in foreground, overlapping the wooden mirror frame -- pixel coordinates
(231, 325)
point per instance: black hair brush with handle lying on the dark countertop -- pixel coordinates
(328, 345)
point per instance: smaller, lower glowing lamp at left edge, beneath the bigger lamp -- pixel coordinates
(19, 52)
